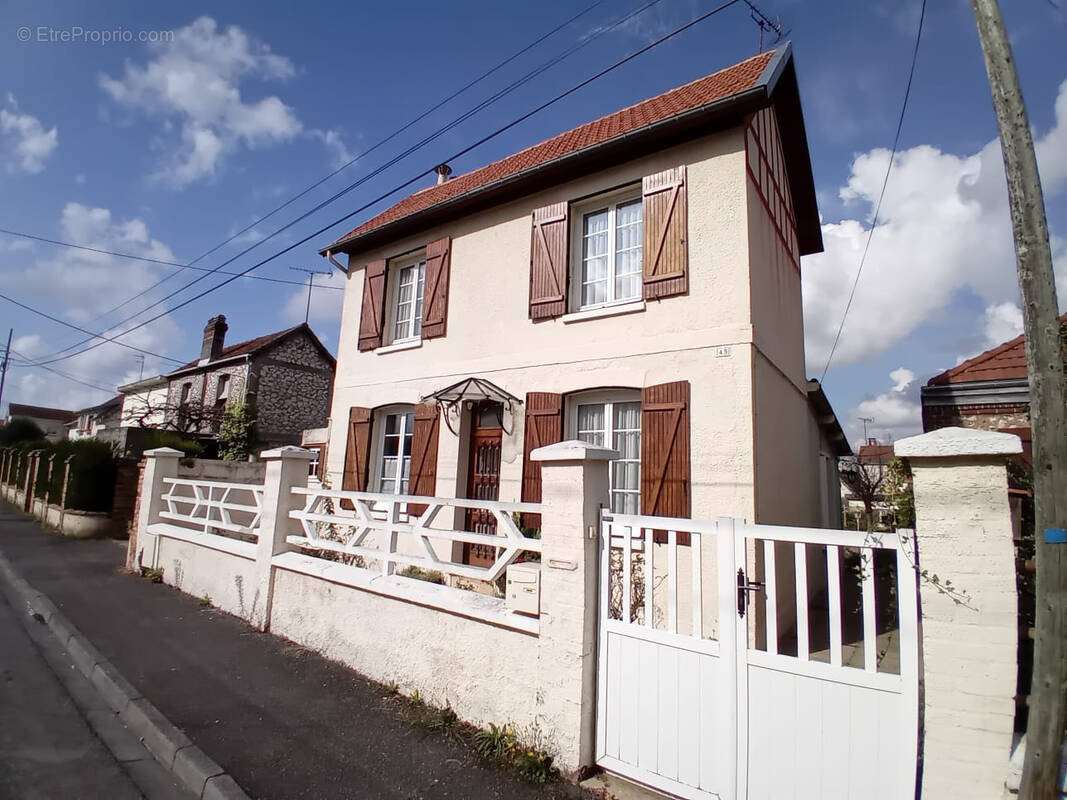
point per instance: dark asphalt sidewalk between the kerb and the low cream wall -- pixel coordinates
(283, 722)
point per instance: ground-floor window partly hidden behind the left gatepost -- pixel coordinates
(614, 420)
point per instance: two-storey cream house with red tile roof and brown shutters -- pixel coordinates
(634, 282)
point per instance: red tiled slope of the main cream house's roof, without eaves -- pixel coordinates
(702, 92)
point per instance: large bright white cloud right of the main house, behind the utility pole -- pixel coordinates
(945, 229)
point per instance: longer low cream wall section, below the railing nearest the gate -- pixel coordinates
(486, 674)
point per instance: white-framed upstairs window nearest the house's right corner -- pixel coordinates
(610, 237)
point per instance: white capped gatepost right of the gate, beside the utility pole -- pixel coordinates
(969, 634)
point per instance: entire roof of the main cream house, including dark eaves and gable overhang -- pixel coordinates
(670, 119)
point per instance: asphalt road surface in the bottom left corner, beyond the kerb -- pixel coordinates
(47, 750)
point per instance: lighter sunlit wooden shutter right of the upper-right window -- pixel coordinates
(666, 252)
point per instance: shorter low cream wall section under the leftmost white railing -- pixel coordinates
(229, 580)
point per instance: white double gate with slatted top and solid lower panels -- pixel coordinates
(751, 662)
